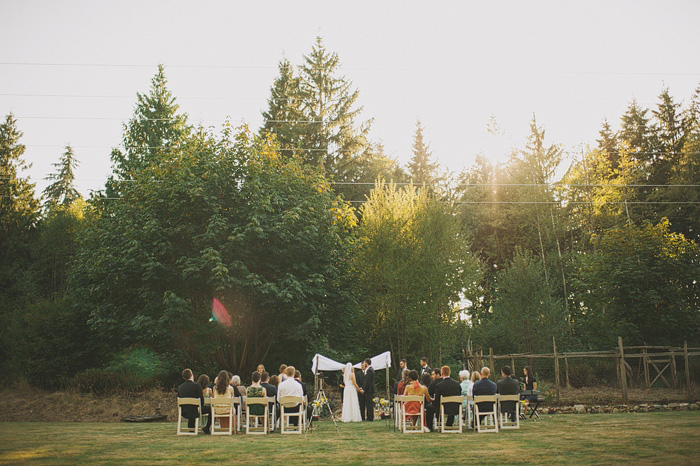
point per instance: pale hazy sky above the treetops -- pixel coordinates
(70, 70)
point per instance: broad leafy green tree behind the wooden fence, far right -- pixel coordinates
(641, 284)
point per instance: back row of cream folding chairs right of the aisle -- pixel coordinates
(492, 419)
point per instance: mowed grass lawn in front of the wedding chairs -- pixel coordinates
(672, 437)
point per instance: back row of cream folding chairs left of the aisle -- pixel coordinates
(255, 424)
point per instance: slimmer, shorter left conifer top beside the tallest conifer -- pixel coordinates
(284, 117)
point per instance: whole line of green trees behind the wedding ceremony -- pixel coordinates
(313, 240)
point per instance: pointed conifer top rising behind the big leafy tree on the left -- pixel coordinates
(155, 129)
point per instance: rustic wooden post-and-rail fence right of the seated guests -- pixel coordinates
(653, 363)
